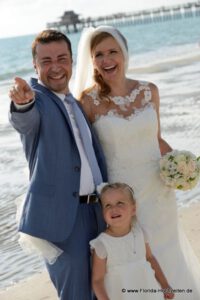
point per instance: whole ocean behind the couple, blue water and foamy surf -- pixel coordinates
(166, 53)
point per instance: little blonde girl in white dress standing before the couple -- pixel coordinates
(123, 265)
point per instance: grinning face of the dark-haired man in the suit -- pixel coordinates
(53, 64)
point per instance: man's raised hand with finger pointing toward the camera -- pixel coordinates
(21, 93)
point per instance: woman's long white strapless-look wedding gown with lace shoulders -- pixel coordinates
(132, 153)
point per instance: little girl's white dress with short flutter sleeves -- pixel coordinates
(128, 274)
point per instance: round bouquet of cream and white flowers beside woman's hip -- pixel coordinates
(180, 169)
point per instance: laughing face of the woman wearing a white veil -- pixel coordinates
(108, 60)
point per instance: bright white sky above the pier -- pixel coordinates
(21, 17)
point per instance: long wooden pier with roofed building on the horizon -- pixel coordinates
(72, 22)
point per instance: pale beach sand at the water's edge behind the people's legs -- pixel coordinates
(39, 287)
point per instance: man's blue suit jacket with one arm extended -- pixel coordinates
(54, 163)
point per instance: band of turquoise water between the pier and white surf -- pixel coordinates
(159, 38)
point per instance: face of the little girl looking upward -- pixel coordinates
(118, 208)
